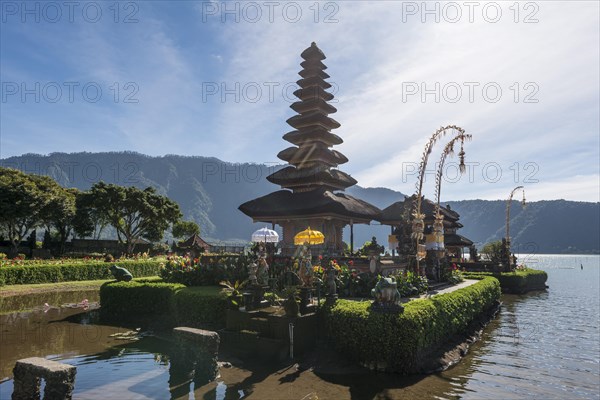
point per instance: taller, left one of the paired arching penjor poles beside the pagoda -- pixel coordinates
(418, 223)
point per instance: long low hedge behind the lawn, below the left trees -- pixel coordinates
(20, 275)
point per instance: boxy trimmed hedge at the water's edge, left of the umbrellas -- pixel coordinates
(169, 304)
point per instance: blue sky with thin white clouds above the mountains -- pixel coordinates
(215, 79)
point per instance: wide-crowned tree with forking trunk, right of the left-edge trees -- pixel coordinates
(134, 213)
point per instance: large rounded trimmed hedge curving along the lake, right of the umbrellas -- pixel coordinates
(402, 342)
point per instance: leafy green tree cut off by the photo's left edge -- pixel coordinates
(23, 204)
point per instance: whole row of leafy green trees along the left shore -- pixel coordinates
(29, 201)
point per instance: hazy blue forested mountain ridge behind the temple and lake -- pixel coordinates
(209, 192)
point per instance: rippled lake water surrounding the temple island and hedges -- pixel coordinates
(542, 345)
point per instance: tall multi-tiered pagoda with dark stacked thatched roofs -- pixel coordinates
(311, 179)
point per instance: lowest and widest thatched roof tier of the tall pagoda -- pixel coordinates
(285, 203)
